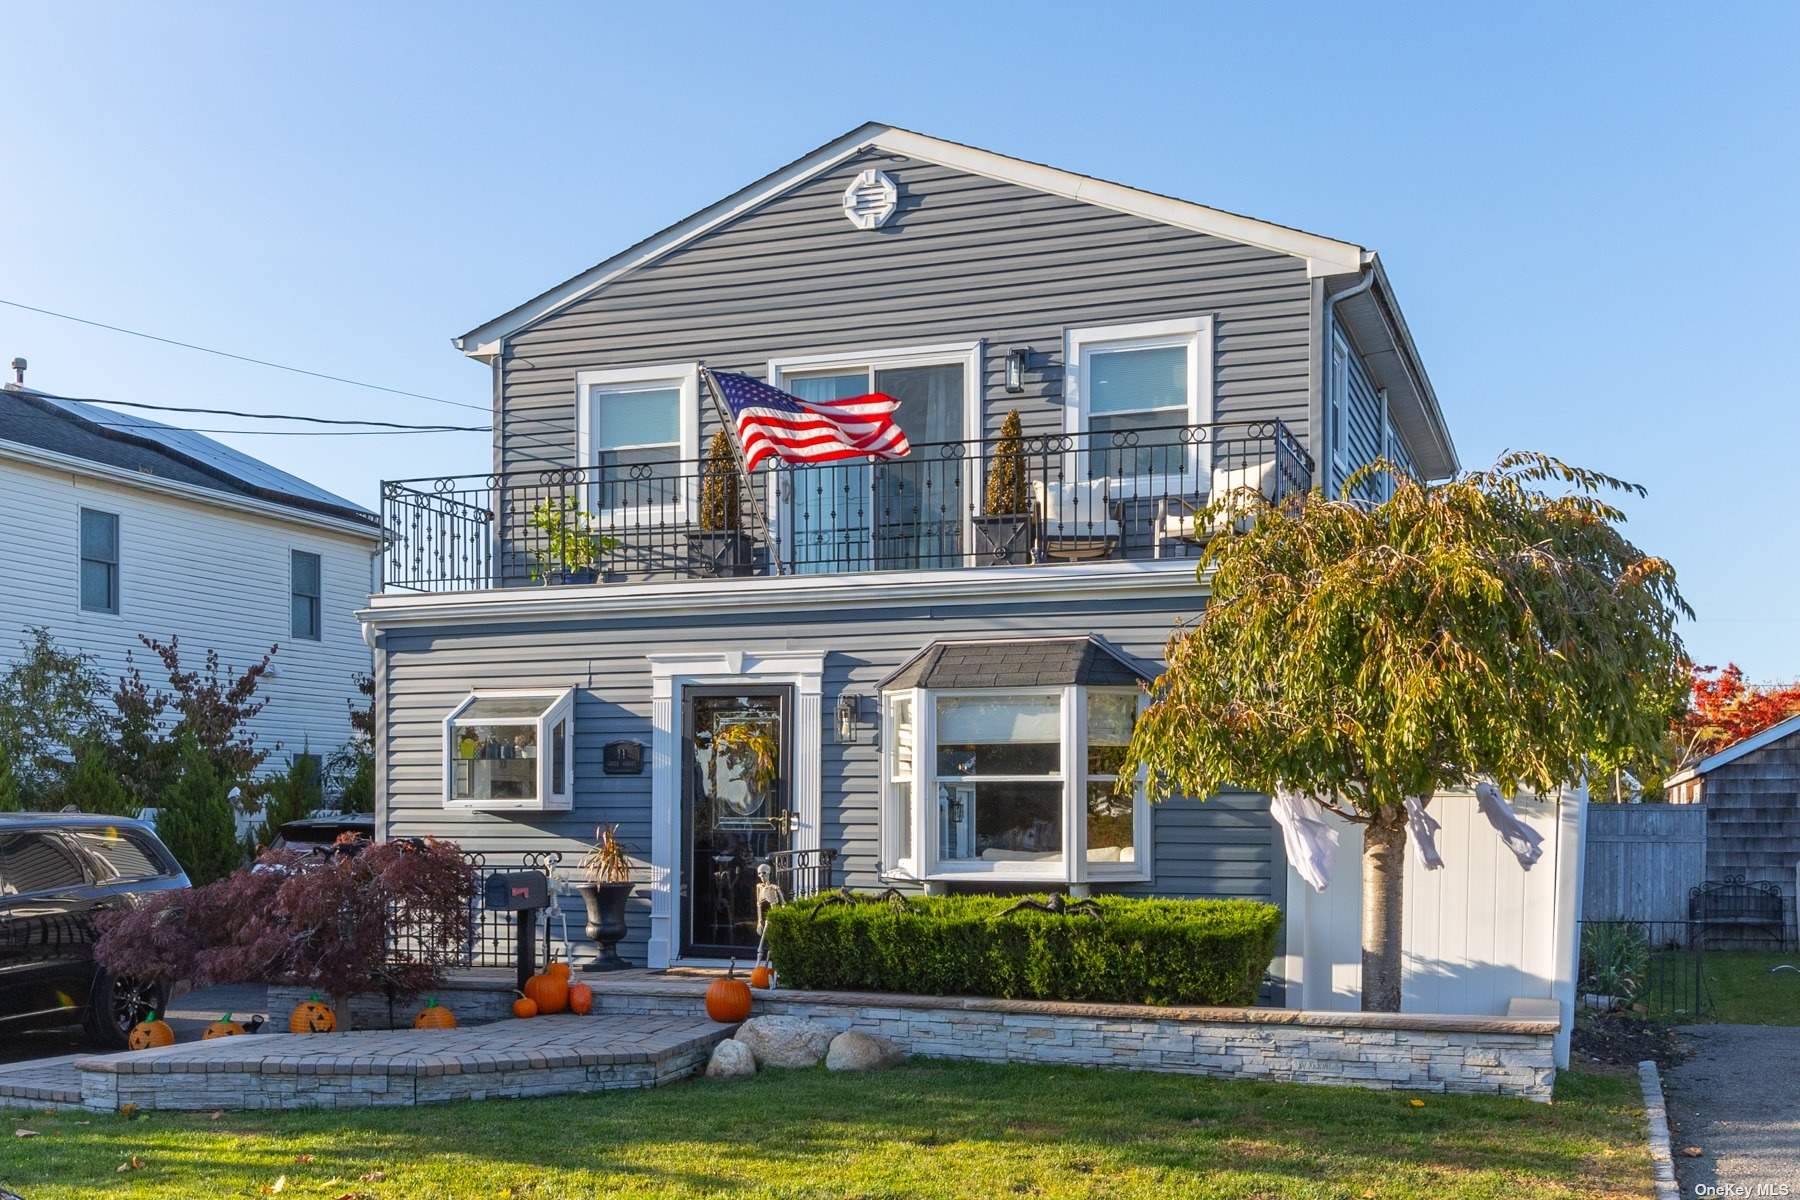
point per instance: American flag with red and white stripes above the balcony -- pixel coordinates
(809, 431)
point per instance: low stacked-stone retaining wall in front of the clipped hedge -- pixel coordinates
(1425, 1053)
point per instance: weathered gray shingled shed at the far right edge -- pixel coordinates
(1752, 796)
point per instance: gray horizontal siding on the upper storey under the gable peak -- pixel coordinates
(966, 258)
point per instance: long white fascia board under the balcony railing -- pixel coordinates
(971, 586)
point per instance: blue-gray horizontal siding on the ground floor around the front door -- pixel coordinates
(1221, 848)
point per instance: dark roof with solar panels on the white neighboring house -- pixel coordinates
(136, 445)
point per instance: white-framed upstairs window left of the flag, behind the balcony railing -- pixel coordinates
(638, 433)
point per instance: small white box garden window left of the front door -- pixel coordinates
(510, 751)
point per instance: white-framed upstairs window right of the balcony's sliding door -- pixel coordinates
(1133, 390)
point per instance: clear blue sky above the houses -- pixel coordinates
(1587, 211)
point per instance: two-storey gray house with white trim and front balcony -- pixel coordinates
(881, 665)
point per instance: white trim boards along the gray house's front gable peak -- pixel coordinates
(1326, 256)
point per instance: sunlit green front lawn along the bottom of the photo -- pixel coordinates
(919, 1131)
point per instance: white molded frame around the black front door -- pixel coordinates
(669, 676)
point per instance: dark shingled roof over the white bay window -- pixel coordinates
(1020, 663)
